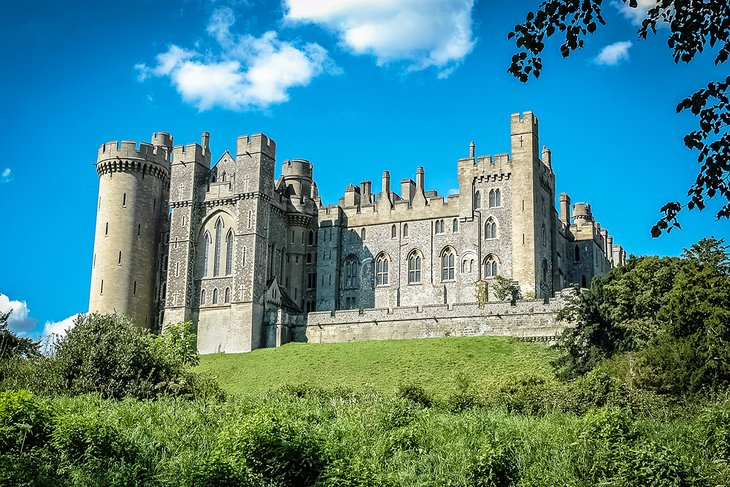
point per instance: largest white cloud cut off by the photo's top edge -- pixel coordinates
(422, 33)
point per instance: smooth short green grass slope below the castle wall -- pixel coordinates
(437, 364)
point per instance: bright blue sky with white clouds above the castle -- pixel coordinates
(355, 86)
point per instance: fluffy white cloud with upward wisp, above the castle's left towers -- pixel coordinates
(246, 72)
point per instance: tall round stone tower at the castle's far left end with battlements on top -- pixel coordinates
(133, 191)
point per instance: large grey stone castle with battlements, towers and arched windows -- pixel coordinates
(255, 262)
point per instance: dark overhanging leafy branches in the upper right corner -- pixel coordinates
(693, 27)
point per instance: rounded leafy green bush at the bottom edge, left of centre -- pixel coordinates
(267, 448)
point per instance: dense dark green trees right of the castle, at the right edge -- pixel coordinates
(668, 318)
